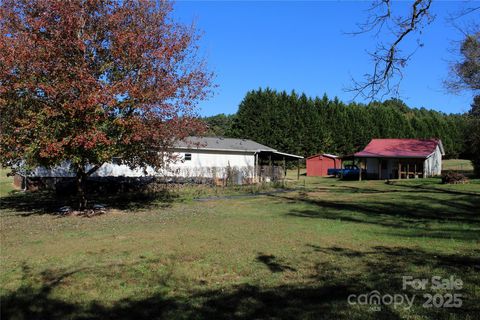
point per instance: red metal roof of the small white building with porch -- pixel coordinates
(401, 148)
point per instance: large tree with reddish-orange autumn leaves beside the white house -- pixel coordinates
(82, 81)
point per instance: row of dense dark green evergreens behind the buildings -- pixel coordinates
(298, 124)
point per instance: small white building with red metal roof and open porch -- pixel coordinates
(402, 158)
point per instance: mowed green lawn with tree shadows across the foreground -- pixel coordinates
(294, 254)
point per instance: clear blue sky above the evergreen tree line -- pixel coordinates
(302, 46)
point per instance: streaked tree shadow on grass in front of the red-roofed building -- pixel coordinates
(456, 216)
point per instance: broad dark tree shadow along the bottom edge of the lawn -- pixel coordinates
(323, 295)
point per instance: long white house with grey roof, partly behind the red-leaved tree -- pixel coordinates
(214, 158)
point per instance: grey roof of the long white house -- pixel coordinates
(226, 144)
